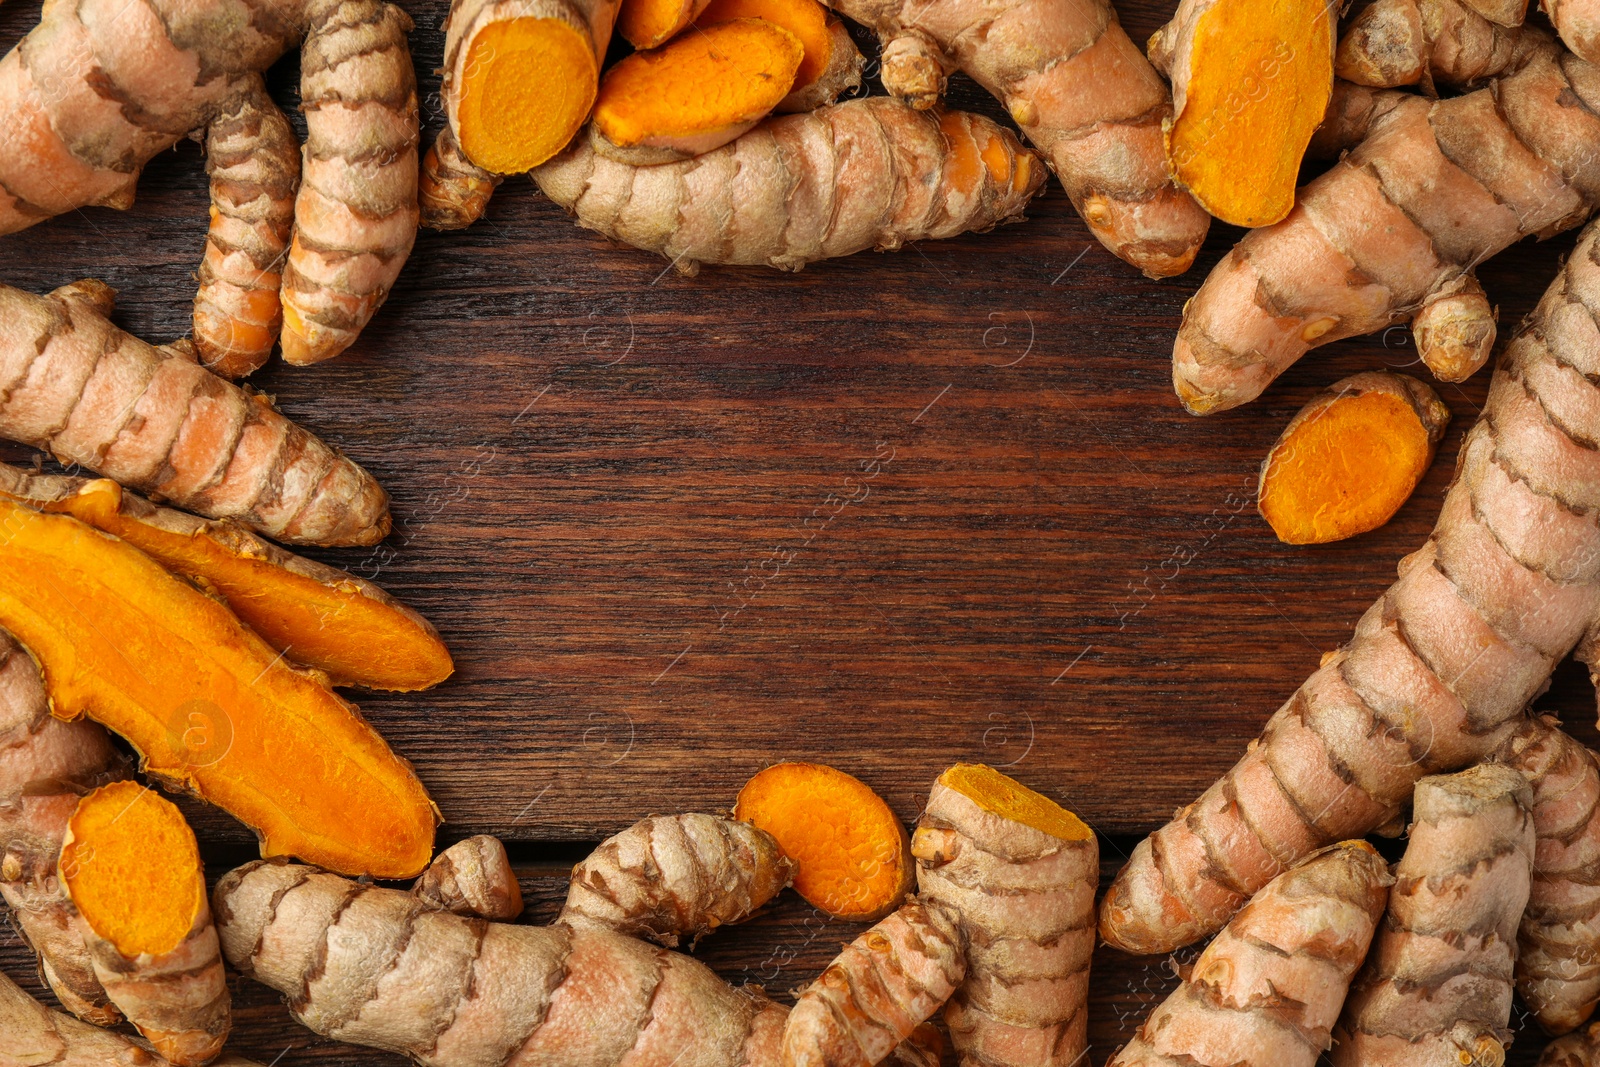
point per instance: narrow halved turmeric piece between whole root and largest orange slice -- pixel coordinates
(316, 615)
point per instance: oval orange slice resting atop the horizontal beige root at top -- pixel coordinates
(697, 94)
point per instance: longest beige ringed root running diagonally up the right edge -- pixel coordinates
(1439, 671)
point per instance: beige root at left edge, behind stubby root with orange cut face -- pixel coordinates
(46, 767)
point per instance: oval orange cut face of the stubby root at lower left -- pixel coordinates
(134, 869)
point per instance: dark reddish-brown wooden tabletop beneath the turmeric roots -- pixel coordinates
(598, 468)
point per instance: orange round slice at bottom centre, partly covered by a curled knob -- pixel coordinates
(852, 855)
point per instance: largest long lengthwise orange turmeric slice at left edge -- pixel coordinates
(209, 706)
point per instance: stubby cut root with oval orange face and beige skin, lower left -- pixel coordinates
(132, 868)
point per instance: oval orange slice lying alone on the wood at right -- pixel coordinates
(1351, 458)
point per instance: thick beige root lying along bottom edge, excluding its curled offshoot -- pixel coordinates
(377, 967)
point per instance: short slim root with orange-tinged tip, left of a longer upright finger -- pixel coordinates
(254, 161)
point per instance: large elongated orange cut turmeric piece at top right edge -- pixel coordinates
(1250, 86)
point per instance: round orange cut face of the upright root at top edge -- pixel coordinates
(529, 86)
